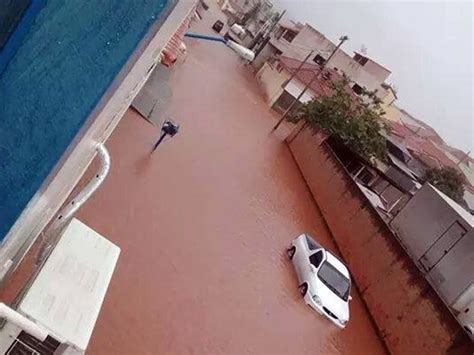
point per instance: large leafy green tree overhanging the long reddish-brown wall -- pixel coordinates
(356, 121)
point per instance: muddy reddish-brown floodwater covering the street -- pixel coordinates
(203, 224)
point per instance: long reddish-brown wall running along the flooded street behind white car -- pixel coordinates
(409, 315)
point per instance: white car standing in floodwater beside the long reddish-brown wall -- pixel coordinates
(324, 281)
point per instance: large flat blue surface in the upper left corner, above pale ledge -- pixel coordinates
(69, 57)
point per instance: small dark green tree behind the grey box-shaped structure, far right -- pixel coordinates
(448, 180)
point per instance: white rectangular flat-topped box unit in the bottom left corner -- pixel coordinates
(63, 302)
